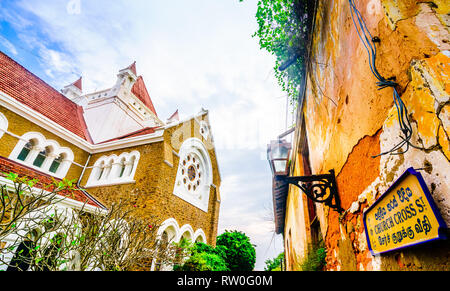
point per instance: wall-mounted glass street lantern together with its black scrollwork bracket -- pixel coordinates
(319, 188)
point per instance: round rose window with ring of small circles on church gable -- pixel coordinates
(192, 171)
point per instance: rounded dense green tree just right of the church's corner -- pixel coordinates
(239, 253)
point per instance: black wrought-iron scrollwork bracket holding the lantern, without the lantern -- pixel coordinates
(319, 188)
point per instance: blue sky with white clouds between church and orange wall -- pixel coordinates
(192, 54)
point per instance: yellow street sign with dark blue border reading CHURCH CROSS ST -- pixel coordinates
(404, 216)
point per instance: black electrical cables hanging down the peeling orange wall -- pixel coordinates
(402, 112)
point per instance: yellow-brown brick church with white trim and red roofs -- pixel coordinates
(112, 143)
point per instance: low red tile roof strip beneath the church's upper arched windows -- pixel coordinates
(9, 166)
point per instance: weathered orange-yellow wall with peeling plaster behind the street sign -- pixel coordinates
(349, 120)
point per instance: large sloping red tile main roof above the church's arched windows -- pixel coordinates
(27, 88)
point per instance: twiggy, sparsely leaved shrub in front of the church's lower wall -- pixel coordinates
(39, 233)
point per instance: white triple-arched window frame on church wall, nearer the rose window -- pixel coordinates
(114, 170)
